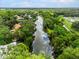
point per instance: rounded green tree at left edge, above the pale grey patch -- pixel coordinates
(5, 35)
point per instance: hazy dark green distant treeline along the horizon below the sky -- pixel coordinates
(67, 12)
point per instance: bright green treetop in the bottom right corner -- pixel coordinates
(69, 53)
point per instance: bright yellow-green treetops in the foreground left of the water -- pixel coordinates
(21, 51)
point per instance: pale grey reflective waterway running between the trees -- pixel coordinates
(41, 42)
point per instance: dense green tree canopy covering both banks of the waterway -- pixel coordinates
(62, 34)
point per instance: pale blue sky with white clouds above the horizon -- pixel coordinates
(39, 3)
